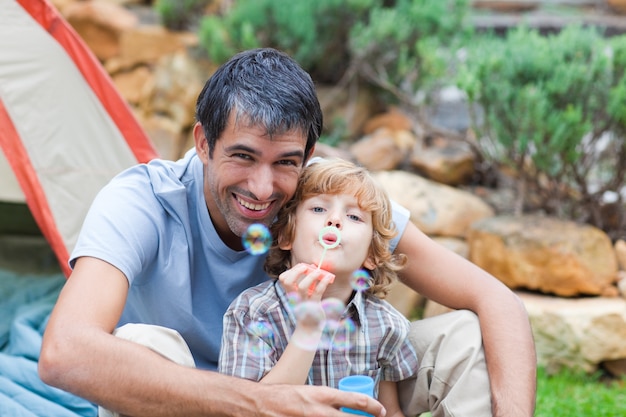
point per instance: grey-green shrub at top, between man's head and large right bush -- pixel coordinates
(408, 49)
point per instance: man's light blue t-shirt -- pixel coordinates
(151, 222)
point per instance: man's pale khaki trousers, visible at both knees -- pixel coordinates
(452, 379)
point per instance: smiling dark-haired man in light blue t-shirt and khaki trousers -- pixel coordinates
(162, 246)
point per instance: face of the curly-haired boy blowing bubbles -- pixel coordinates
(354, 224)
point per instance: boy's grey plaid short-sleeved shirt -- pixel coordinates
(258, 324)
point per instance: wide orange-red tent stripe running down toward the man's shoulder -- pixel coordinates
(98, 79)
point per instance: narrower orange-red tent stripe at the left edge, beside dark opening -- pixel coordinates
(16, 154)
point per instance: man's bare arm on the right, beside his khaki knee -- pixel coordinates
(447, 278)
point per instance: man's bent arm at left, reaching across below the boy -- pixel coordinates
(80, 355)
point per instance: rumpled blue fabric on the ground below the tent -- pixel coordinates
(25, 305)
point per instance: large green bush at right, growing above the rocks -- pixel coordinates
(553, 109)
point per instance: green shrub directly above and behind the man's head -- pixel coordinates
(313, 32)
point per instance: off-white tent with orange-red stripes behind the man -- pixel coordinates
(65, 130)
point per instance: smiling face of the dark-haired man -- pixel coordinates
(250, 177)
